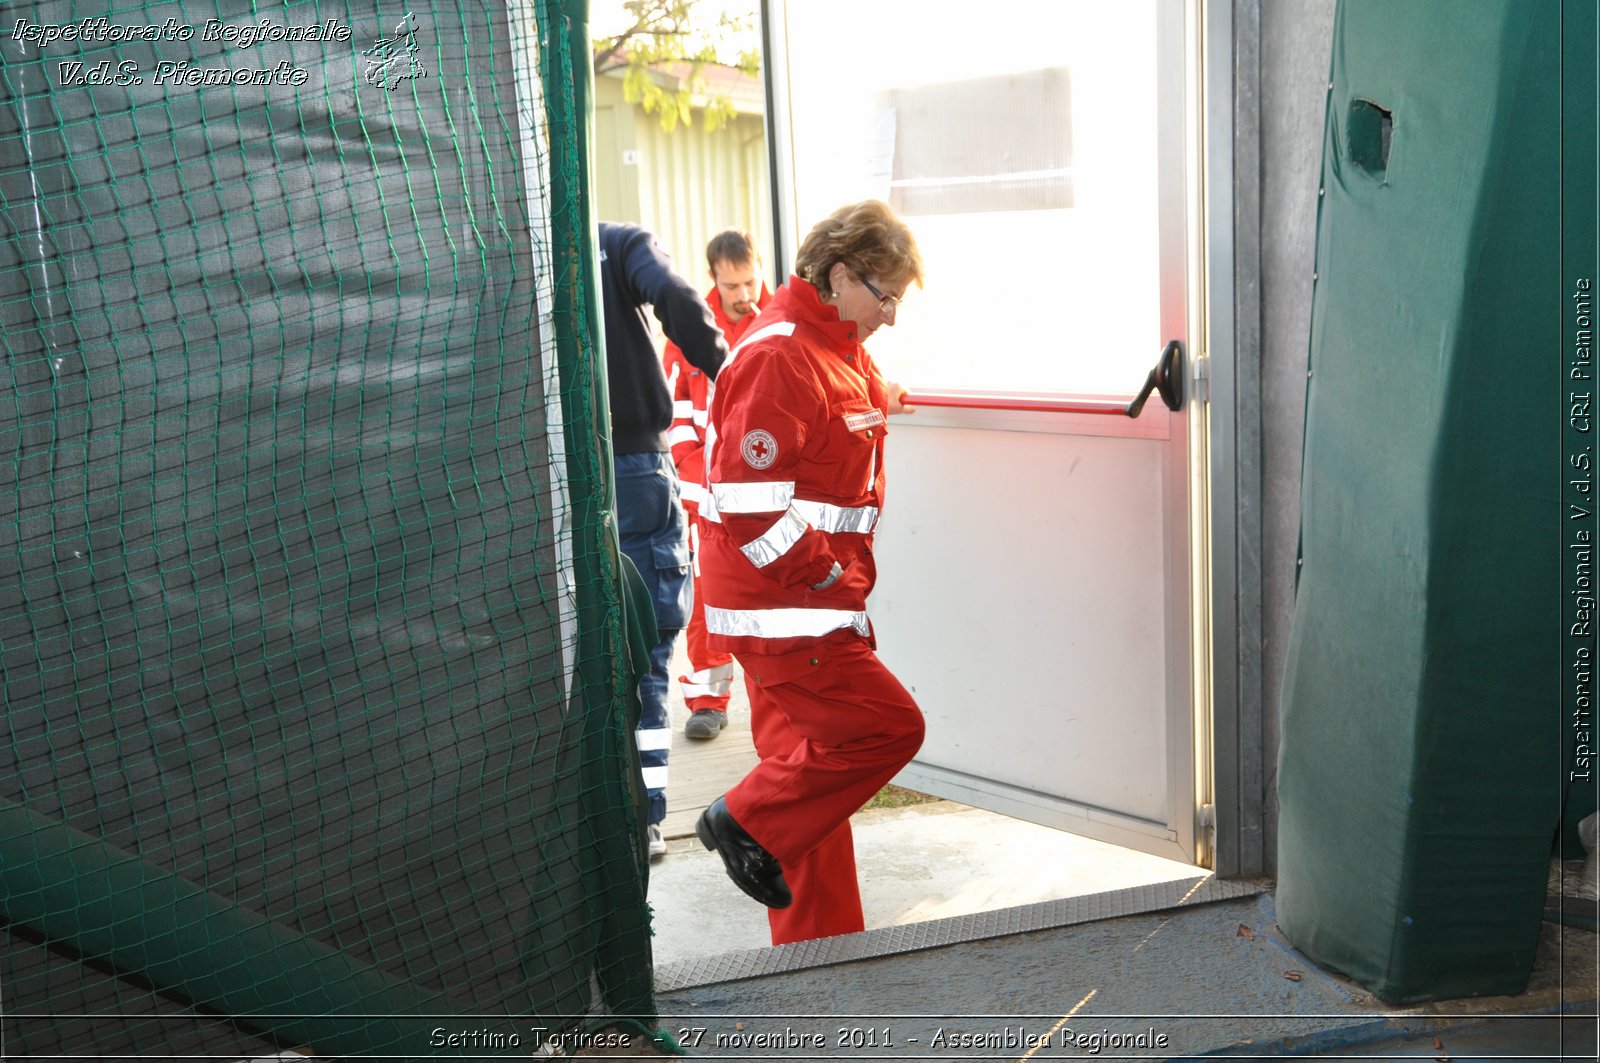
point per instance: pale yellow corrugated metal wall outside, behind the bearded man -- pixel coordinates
(686, 187)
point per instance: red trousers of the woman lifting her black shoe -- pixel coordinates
(830, 737)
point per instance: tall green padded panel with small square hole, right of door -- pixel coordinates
(1420, 772)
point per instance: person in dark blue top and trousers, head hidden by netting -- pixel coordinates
(638, 276)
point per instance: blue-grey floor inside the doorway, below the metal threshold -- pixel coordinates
(1210, 981)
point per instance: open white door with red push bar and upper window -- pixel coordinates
(1039, 590)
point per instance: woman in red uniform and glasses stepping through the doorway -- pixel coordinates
(796, 479)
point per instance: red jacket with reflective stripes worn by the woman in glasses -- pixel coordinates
(796, 479)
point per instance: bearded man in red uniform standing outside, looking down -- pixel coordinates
(737, 297)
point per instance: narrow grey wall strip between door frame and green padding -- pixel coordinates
(1297, 39)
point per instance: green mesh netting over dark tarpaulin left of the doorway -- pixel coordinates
(311, 635)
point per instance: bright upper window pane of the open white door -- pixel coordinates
(1025, 161)
